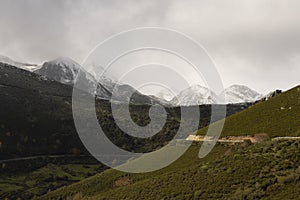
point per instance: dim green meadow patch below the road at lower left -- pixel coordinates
(44, 179)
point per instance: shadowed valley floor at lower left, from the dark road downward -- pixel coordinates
(35, 181)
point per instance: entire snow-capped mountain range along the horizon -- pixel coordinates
(65, 70)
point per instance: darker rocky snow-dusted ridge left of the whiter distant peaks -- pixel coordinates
(65, 70)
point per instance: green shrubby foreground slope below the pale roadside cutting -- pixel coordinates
(230, 172)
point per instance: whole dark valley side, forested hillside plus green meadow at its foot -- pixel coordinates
(37, 133)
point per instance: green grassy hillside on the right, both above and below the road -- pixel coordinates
(267, 170)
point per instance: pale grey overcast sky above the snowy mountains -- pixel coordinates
(252, 42)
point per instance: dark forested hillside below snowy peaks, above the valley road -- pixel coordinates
(36, 118)
